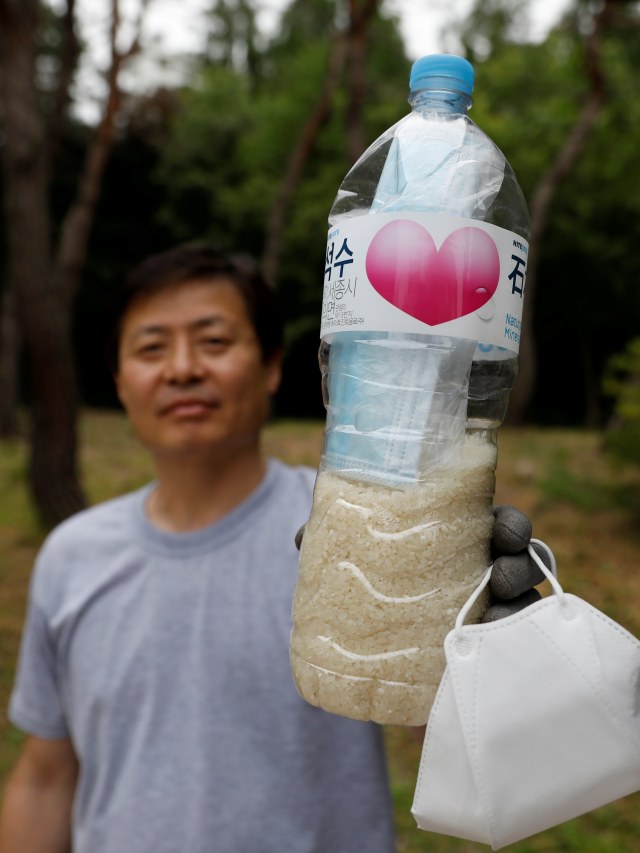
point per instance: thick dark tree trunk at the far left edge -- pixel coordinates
(43, 319)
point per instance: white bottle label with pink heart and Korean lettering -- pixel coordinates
(425, 273)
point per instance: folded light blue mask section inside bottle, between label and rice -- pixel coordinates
(397, 408)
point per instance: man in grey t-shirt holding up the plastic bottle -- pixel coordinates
(154, 679)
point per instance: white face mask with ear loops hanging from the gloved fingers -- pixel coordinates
(536, 721)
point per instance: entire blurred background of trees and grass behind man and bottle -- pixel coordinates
(111, 149)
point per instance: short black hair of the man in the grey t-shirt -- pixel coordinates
(200, 262)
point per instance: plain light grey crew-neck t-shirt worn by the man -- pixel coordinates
(165, 658)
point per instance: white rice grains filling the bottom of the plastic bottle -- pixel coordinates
(383, 574)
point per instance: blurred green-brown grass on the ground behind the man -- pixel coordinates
(587, 509)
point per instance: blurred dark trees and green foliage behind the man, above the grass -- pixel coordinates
(246, 147)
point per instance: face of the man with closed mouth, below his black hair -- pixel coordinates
(191, 375)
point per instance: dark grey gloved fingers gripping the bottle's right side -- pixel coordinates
(514, 572)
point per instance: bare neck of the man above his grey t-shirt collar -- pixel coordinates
(196, 492)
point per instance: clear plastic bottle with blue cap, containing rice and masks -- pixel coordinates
(423, 292)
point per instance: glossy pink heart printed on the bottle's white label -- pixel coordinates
(433, 285)
